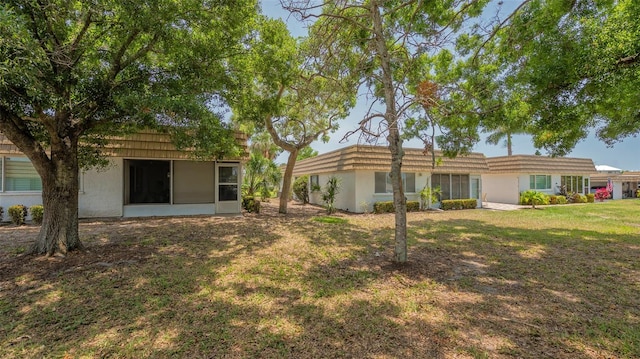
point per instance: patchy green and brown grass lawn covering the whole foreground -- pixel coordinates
(557, 282)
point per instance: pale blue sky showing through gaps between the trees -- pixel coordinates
(624, 155)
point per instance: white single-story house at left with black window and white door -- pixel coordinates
(147, 176)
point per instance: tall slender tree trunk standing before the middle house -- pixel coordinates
(395, 142)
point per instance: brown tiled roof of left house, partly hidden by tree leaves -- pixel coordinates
(144, 144)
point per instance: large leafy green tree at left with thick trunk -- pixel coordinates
(74, 71)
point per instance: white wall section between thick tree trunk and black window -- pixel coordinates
(101, 192)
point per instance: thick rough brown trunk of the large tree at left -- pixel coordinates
(59, 231)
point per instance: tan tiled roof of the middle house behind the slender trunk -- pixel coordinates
(378, 158)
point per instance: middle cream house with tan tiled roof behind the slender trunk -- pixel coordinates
(363, 172)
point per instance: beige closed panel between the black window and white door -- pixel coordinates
(193, 182)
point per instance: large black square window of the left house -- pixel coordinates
(149, 181)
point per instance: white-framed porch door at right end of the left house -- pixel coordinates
(228, 188)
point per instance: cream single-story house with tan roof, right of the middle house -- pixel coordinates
(508, 176)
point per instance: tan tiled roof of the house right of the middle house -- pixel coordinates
(540, 164)
